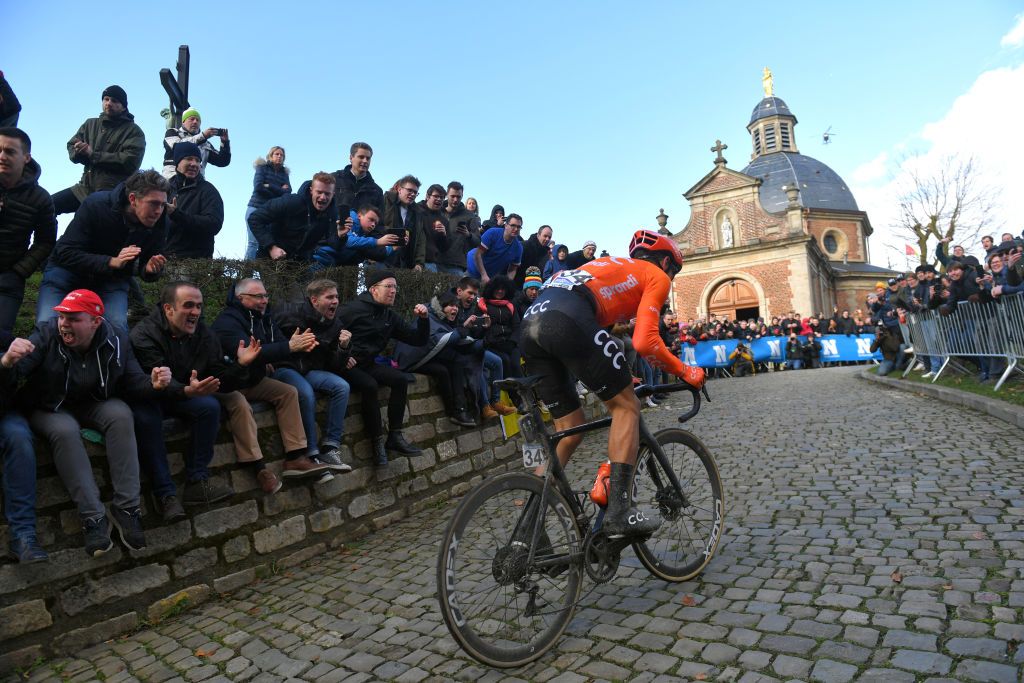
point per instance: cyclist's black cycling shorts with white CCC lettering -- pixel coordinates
(561, 338)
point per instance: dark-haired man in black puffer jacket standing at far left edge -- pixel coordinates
(27, 216)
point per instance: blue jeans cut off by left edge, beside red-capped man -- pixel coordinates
(19, 476)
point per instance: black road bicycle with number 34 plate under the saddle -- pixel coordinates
(513, 562)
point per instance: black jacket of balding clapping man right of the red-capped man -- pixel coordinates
(156, 347)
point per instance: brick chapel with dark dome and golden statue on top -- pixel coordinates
(784, 234)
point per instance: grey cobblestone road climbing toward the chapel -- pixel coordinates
(873, 536)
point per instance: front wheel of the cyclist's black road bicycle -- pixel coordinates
(686, 543)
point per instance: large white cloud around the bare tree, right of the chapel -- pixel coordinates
(983, 123)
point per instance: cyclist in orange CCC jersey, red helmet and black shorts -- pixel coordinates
(565, 335)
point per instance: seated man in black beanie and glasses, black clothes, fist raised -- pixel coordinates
(373, 324)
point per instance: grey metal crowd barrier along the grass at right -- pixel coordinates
(992, 332)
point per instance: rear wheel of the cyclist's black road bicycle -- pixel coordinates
(484, 611)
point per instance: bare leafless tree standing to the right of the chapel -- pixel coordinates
(948, 200)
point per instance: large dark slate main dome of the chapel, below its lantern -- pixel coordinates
(821, 188)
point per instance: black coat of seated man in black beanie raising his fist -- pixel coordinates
(373, 325)
